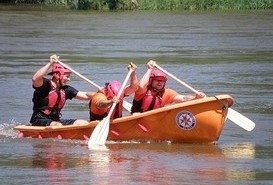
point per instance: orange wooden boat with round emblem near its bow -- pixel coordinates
(197, 121)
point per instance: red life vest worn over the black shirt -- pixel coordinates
(56, 100)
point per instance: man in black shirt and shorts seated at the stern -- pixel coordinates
(50, 95)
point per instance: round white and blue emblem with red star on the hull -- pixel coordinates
(185, 120)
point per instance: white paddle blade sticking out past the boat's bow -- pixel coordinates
(240, 120)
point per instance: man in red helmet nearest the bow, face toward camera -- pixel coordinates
(152, 94)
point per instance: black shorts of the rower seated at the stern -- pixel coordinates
(39, 119)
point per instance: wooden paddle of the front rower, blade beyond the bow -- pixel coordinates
(233, 115)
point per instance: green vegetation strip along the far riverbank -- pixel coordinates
(186, 5)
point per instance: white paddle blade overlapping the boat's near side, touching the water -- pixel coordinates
(100, 133)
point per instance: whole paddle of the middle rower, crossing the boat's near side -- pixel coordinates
(100, 133)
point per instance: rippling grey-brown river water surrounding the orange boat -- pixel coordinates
(215, 52)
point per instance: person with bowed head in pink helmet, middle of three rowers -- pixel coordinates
(103, 100)
